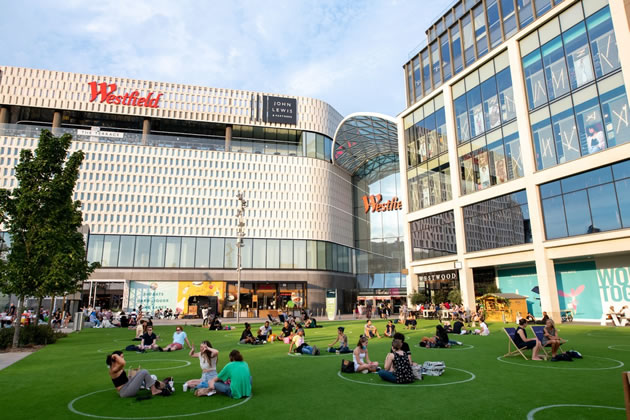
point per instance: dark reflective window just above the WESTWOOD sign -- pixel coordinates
(433, 236)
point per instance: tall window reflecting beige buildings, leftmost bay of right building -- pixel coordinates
(428, 167)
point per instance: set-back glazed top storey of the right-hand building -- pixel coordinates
(477, 28)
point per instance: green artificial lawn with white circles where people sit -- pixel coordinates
(309, 387)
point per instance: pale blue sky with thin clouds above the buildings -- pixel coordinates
(347, 53)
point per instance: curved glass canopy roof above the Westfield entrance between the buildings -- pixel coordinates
(363, 137)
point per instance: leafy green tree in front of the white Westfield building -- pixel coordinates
(47, 253)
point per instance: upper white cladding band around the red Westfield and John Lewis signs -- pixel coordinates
(70, 91)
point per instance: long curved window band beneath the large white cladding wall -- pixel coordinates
(127, 251)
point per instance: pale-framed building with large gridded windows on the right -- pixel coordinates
(516, 145)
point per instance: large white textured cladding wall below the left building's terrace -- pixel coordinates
(134, 189)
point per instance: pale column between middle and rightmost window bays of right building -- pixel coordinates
(545, 271)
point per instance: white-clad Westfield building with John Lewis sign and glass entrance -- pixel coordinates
(163, 165)
